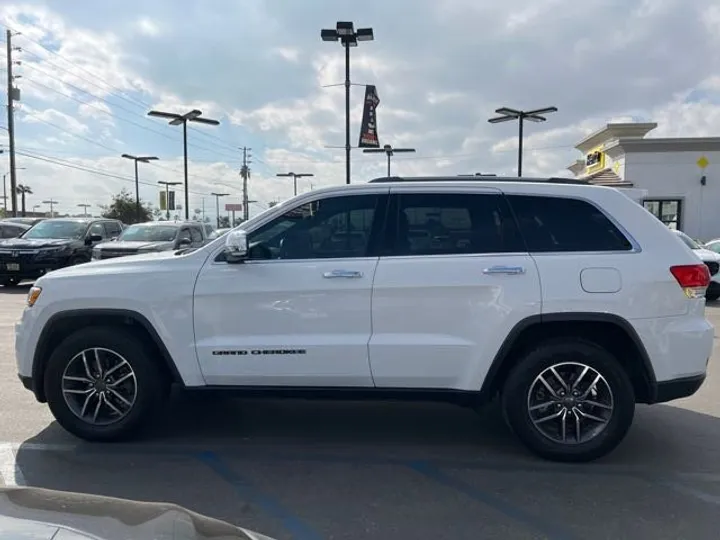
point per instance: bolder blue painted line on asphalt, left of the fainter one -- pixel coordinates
(293, 524)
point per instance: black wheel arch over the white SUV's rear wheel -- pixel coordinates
(608, 330)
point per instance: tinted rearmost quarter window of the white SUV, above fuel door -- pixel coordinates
(559, 224)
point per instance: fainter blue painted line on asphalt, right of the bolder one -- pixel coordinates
(537, 524)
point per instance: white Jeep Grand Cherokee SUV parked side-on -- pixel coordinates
(570, 301)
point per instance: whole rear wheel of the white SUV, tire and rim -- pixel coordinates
(569, 400)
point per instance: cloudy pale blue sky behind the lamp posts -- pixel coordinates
(91, 70)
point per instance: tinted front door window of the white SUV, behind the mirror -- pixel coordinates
(329, 228)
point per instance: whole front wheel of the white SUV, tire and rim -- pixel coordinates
(102, 384)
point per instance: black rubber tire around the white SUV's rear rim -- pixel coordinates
(516, 404)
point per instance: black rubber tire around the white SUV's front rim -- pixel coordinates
(150, 383)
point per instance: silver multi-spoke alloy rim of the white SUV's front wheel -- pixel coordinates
(99, 386)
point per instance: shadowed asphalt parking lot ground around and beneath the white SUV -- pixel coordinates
(294, 469)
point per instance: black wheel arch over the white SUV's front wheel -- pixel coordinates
(64, 323)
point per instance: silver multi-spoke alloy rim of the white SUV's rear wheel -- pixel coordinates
(570, 403)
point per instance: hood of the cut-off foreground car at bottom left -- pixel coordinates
(43, 514)
